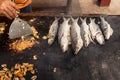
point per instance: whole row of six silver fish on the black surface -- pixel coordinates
(79, 35)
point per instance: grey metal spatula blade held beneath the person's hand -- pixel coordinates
(19, 28)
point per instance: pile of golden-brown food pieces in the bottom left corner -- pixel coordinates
(18, 72)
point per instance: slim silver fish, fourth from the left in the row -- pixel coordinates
(87, 34)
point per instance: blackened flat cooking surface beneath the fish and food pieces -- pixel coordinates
(92, 63)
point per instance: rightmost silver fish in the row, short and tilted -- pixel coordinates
(107, 30)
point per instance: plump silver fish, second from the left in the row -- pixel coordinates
(64, 34)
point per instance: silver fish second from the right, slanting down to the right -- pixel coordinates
(96, 32)
